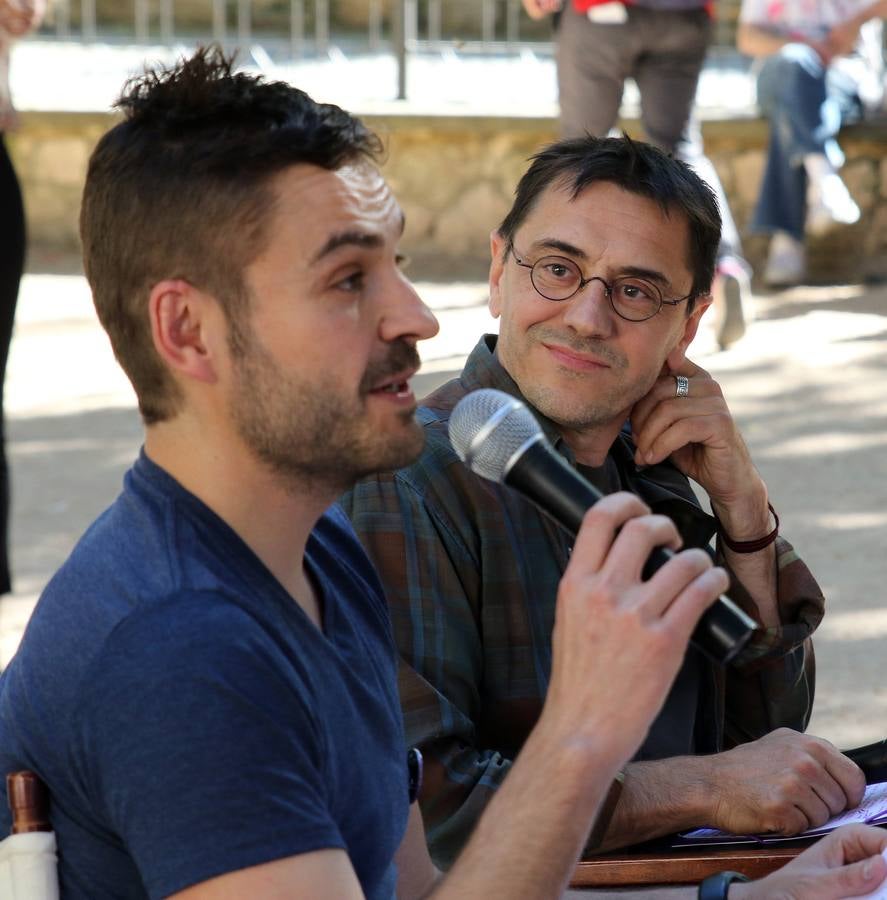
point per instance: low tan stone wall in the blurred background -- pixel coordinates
(454, 177)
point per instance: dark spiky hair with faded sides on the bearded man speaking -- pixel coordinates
(180, 189)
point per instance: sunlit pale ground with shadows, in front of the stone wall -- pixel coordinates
(807, 384)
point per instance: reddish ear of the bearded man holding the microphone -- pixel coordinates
(181, 324)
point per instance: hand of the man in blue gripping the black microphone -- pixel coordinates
(619, 641)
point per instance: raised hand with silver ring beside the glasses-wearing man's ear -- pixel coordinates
(698, 434)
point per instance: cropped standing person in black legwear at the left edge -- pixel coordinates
(17, 17)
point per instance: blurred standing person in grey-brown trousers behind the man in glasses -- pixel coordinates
(662, 45)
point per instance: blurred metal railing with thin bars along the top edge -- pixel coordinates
(300, 29)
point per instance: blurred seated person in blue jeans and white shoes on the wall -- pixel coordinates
(822, 67)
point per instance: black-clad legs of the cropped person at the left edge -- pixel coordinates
(12, 256)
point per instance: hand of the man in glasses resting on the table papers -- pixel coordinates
(785, 782)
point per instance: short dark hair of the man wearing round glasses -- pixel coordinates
(636, 167)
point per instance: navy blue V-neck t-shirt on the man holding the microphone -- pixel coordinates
(188, 717)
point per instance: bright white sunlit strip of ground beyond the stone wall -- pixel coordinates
(441, 82)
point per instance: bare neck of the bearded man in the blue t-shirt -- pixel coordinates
(274, 518)
